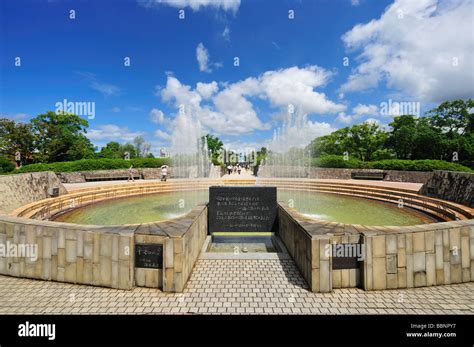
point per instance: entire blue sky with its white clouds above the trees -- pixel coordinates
(420, 52)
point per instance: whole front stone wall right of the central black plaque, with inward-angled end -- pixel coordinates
(394, 257)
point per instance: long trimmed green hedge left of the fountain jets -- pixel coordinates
(95, 164)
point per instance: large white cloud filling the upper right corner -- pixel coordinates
(423, 48)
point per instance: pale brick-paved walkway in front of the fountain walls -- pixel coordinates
(231, 287)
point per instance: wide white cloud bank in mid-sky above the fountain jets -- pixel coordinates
(231, 110)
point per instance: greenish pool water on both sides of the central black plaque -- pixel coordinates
(163, 206)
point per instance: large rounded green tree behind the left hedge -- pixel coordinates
(61, 137)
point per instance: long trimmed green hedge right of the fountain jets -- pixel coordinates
(334, 161)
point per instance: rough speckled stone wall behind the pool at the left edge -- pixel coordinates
(21, 189)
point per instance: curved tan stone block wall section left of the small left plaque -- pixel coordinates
(67, 253)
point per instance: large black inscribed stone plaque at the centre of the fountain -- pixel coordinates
(242, 209)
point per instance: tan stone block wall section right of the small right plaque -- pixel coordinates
(428, 255)
